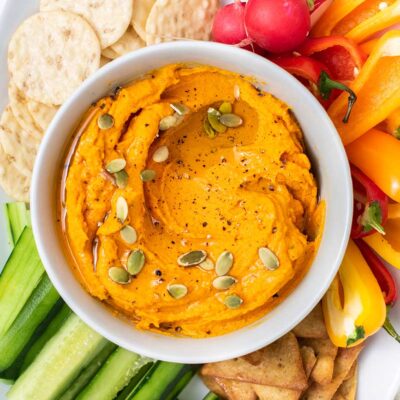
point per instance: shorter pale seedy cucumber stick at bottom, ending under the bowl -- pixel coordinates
(114, 375)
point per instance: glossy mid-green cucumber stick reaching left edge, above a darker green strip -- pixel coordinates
(37, 307)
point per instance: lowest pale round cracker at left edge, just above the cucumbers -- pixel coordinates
(12, 181)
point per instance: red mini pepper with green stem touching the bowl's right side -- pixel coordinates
(370, 206)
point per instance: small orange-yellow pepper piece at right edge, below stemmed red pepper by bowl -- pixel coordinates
(388, 246)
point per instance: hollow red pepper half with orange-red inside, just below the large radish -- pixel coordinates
(342, 56)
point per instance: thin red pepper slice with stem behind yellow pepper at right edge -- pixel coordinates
(386, 283)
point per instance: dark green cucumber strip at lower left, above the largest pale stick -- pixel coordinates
(52, 328)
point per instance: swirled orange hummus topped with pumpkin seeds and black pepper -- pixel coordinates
(189, 203)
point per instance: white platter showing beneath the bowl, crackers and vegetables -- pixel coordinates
(379, 372)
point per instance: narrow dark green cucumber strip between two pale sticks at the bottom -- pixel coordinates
(88, 373)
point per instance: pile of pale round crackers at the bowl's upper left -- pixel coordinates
(55, 50)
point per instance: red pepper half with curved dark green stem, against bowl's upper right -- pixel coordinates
(316, 76)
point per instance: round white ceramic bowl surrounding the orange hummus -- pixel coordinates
(329, 163)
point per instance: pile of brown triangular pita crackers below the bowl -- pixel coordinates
(303, 364)
